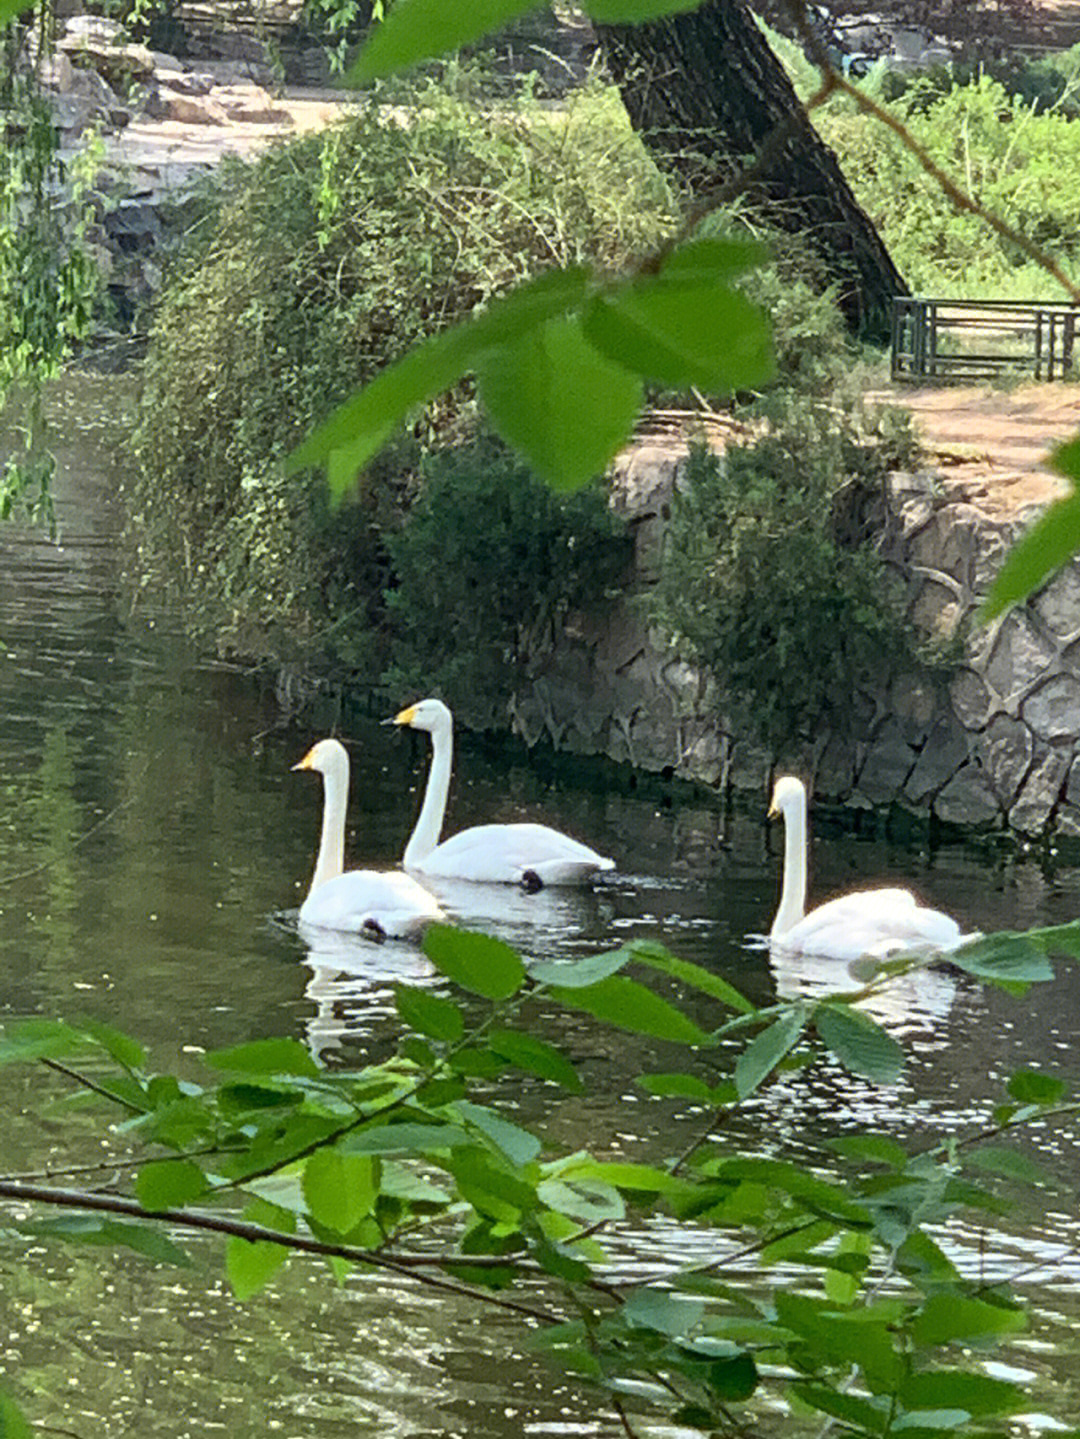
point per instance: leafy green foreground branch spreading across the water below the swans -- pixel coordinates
(284, 1156)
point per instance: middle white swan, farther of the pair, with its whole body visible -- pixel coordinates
(530, 855)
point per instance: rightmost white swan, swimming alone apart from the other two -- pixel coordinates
(869, 922)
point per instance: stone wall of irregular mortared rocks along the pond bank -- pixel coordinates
(994, 746)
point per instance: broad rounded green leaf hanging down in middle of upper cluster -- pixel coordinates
(566, 408)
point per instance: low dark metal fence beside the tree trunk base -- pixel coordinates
(981, 339)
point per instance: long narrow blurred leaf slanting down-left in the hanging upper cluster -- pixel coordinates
(365, 422)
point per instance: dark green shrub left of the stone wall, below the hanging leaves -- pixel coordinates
(487, 559)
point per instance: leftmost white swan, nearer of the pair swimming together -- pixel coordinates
(362, 902)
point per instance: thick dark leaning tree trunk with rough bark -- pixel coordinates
(707, 94)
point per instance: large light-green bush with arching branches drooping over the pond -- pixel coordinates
(307, 274)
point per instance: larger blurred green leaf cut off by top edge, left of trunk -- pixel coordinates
(416, 31)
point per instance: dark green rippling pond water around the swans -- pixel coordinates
(153, 848)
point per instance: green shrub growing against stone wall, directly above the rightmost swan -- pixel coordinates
(769, 579)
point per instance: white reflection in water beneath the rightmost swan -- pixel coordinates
(915, 1002)
